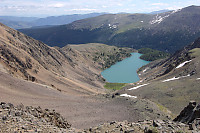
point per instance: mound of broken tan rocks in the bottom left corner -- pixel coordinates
(30, 119)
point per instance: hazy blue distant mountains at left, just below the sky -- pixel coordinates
(28, 22)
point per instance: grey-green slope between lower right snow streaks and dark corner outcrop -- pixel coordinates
(174, 95)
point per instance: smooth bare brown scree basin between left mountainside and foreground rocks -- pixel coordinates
(82, 111)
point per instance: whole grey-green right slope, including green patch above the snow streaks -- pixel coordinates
(174, 94)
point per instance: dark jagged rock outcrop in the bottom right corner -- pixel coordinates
(190, 115)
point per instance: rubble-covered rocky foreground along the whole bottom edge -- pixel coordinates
(34, 119)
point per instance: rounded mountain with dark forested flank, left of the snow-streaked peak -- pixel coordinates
(96, 29)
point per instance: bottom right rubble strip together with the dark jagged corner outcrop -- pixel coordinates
(188, 121)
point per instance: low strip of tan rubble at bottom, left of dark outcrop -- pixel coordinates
(146, 126)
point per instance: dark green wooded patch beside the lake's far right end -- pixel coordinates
(151, 54)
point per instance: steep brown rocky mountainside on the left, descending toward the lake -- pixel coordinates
(69, 69)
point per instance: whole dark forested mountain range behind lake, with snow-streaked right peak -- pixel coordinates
(168, 31)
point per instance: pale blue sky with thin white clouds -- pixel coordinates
(41, 8)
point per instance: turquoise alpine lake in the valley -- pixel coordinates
(125, 71)
